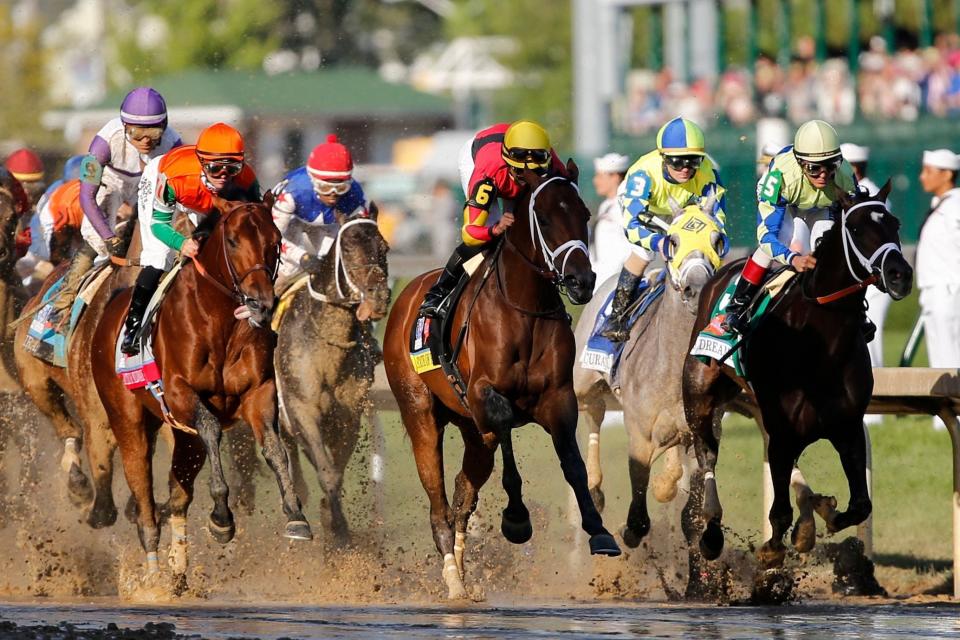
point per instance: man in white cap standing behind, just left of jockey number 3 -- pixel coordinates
(610, 246)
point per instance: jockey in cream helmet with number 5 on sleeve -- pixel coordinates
(804, 177)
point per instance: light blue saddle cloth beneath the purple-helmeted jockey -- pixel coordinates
(44, 338)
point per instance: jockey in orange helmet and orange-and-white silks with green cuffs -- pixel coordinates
(186, 178)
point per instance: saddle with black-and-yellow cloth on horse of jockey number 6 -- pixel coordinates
(431, 346)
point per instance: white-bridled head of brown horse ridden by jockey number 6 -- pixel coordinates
(556, 223)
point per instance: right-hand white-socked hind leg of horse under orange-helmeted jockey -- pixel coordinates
(186, 462)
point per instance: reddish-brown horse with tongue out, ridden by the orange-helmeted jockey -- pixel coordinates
(216, 369)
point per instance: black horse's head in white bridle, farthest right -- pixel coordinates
(871, 242)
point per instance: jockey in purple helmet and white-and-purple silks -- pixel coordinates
(109, 176)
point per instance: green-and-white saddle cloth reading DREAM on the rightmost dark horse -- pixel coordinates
(715, 343)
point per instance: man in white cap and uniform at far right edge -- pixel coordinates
(938, 259)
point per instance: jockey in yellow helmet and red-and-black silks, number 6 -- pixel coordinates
(491, 166)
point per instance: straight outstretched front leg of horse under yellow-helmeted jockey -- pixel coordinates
(557, 412)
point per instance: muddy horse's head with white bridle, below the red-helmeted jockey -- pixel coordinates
(362, 275)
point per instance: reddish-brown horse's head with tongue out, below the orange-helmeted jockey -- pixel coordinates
(249, 253)
